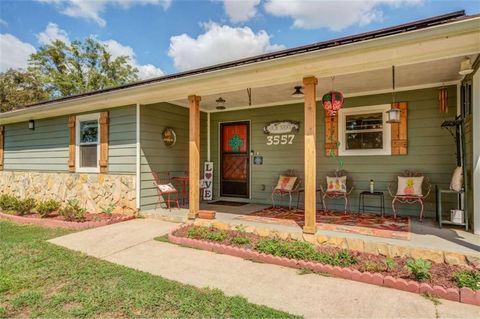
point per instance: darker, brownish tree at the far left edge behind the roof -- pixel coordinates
(19, 88)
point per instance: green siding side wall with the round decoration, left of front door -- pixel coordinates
(155, 156)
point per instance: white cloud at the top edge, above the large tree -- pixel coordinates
(92, 9)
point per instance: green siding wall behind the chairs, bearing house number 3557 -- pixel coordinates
(431, 150)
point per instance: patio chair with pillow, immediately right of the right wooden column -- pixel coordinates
(338, 185)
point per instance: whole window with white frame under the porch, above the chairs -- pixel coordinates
(364, 131)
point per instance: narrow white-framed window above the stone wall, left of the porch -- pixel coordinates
(88, 143)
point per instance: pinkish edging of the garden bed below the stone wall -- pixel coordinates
(55, 223)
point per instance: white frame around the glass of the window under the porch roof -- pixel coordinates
(342, 115)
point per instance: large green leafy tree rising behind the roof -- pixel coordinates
(81, 66)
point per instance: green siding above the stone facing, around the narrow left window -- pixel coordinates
(46, 147)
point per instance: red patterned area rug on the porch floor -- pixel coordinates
(355, 223)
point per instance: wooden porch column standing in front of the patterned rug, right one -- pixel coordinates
(310, 86)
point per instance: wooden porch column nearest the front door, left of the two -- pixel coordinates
(194, 155)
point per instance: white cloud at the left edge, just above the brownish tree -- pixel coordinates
(13, 52)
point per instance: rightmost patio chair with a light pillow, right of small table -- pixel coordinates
(412, 187)
